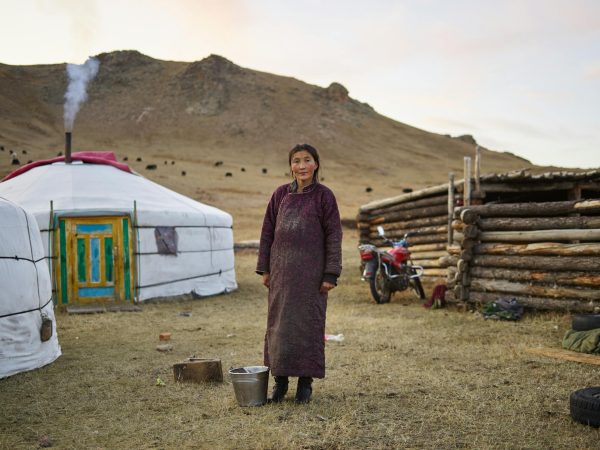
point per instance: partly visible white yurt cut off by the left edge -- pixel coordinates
(28, 338)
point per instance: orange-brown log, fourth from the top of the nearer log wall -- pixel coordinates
(540, 248)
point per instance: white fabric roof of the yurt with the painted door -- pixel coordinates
(81, 186)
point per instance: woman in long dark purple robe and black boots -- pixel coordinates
(300, 260)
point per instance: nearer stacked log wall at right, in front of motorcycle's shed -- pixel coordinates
(545, 255)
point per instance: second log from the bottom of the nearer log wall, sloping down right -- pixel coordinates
(536, 290)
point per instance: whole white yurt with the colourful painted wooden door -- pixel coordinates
(115, 236)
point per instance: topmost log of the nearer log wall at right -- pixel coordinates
(535, 209)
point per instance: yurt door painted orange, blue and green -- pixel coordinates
(95, 259)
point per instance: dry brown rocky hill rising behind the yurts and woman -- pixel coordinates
(194, 114)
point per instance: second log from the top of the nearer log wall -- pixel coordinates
(538, 223)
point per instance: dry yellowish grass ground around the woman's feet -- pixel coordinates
(405, 377)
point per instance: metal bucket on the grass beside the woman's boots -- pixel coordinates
(250, 385)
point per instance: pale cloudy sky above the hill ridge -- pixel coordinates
(520, 75)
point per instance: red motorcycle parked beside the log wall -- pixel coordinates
(390, 271)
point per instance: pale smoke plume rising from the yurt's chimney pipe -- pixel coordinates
(79, 76)
